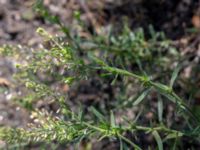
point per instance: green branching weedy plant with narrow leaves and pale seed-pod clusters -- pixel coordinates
(124, 60)
